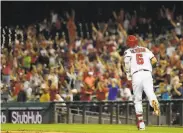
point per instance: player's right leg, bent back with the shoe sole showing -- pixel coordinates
(149, 91)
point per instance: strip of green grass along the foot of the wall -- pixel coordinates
(79, 128)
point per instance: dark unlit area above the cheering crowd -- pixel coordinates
(13, 13)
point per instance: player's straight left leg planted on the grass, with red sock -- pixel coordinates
(137, 90)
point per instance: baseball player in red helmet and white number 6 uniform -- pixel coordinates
(138, 66)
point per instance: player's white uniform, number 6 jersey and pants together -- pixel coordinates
(136, 59)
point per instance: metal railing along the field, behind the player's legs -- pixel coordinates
(117, 112)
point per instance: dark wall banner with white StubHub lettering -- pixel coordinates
(27, 113)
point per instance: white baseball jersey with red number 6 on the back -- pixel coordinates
(137, 58)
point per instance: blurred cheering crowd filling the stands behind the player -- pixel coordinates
(61, 59)
